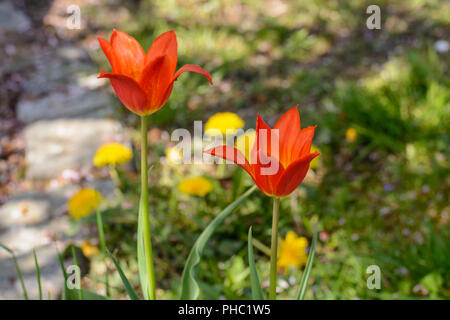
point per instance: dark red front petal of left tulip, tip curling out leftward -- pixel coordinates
(128, 91)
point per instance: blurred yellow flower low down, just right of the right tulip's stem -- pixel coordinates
(292, 251)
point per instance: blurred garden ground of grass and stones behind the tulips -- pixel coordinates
(380, 99)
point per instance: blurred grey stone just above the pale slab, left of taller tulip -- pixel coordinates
(63, 85)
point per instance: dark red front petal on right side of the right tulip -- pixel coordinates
(294, 175)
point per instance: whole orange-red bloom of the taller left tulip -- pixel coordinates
(143, 82)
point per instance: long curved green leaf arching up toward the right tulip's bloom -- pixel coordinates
(190, 289)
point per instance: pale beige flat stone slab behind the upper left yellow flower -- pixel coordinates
(54, 145)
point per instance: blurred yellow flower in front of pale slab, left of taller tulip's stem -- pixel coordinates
(112, 154)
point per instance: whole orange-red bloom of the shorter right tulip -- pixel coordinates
(280, 157)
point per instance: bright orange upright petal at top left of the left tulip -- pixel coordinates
(129, 57)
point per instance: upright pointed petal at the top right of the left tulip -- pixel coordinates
(165, 44)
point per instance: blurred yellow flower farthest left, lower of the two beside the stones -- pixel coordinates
(84, 202)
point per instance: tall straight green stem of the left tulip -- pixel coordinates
(145, 212)
